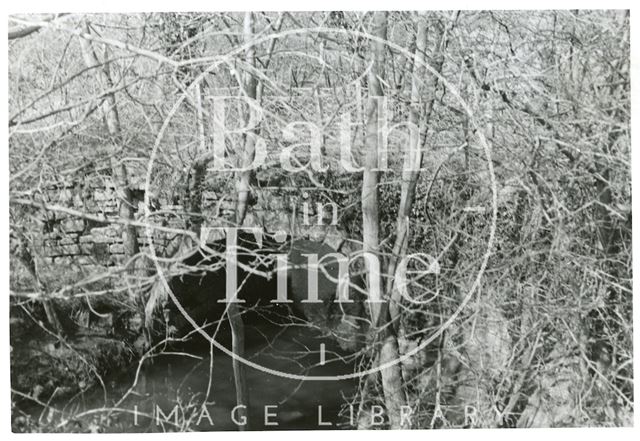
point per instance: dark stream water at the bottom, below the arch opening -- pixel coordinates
(170, 391)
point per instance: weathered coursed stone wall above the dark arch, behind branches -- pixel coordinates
(68, 239)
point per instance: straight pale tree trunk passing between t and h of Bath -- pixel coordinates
(391, 376)
